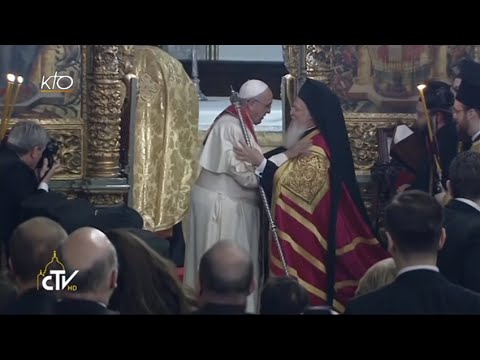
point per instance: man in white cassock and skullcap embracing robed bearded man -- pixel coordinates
(225, 198)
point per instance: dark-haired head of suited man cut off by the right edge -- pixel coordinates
(464, 173)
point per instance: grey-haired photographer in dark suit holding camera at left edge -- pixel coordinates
(19, 175)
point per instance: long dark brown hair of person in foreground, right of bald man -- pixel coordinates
(147, 282)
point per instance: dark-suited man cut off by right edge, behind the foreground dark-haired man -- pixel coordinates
(459, 260)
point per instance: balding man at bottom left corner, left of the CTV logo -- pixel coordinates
(32, 245)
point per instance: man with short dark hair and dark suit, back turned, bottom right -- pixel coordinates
(419, 287)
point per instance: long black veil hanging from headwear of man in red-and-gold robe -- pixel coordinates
(325, 108)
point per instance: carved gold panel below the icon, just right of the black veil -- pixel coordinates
(362, 129)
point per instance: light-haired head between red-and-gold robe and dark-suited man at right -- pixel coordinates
(380, 274)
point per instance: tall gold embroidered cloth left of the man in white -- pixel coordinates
(166, 133)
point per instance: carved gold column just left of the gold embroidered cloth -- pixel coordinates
(105, 106)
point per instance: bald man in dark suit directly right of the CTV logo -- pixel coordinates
(89, 251)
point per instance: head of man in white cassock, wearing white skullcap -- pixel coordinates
(257, 98)
